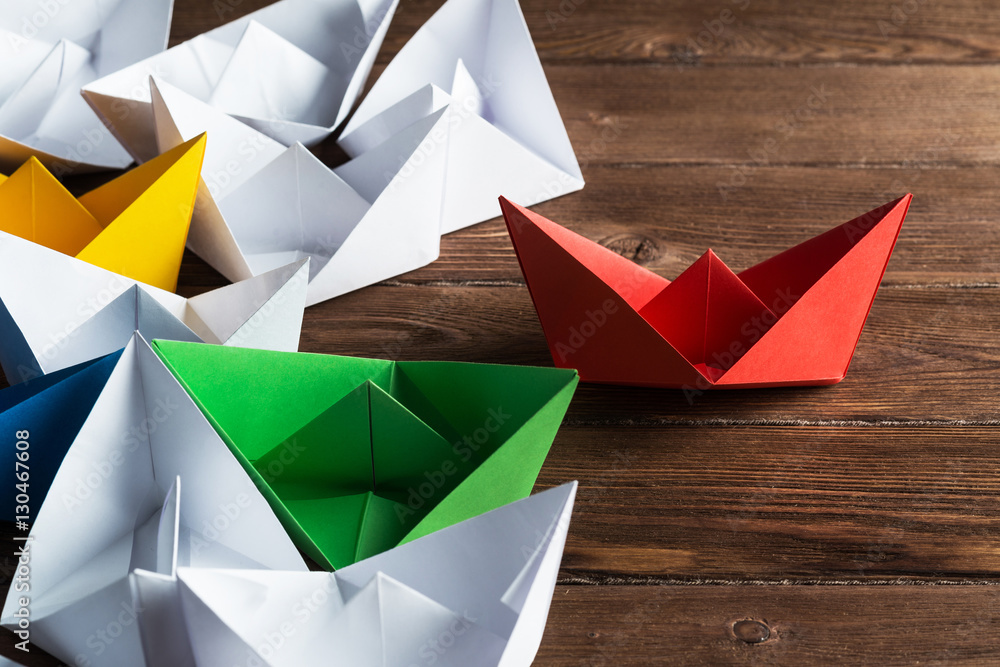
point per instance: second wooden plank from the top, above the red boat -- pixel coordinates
(806, 115)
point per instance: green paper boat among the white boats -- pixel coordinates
(357, 456)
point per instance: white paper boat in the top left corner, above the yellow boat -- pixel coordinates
(49, 50)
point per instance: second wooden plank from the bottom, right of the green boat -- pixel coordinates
(776, 503)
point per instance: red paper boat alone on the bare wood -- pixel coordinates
(793, 319)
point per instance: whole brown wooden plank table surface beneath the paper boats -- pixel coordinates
(858, 523)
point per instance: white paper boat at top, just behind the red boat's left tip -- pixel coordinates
(507, 137)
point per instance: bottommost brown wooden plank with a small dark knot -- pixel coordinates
(694, 625)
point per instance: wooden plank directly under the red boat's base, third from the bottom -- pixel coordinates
(925, 354)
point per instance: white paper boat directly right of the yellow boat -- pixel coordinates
(264, 205)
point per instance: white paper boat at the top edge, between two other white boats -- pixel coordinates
(292, 70)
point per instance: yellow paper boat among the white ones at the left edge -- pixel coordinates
(135, 225)
